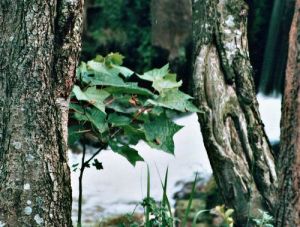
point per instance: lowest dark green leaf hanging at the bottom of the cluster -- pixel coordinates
(129, 153)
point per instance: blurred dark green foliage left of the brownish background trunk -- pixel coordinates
(121, 26)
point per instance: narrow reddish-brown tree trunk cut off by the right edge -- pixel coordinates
(288, 213)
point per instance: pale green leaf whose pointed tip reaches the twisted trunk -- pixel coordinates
(176, 100)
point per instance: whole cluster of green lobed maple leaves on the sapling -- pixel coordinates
(107, 103)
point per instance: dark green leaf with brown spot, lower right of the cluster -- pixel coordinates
(159, 133)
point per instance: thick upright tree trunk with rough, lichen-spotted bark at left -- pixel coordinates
(39, 46)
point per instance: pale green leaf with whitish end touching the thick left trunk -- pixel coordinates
(92, 95)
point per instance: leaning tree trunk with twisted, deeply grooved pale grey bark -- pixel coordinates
(234, 136)
